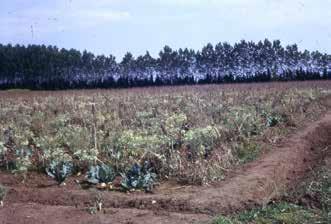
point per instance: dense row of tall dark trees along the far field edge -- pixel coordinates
(48, 67)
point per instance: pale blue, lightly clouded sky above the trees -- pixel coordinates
(118, 26)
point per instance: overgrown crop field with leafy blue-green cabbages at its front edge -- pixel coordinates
(138, 139)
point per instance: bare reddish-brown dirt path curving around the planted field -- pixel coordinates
(253, 184)
